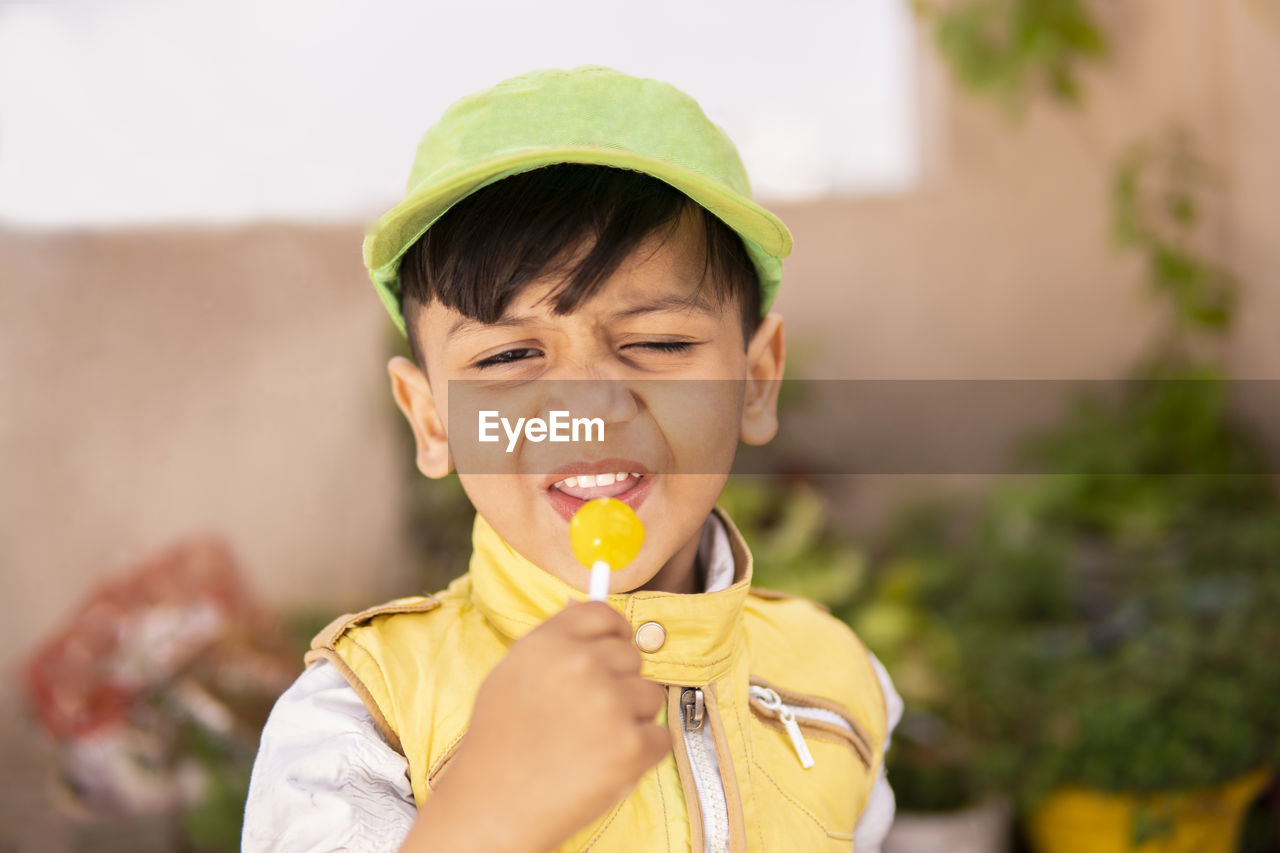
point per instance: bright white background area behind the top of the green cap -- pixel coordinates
(127, 112)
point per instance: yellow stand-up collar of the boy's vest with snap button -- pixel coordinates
(703, 631)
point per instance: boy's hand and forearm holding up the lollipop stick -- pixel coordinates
(561, 731)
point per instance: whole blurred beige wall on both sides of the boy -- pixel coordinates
(164, 382)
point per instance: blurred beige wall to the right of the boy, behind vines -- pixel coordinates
(999, 266)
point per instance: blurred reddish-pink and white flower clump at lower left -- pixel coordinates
(176, 642)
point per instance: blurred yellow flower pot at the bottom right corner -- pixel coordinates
(1197, 822)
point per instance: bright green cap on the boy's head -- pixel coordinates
(587, 115)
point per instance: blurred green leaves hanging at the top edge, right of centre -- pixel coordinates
(1014, 51)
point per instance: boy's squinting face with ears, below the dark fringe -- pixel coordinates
(637, 329)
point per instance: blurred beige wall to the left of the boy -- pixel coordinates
(164, 384)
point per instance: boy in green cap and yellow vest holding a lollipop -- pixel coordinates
(583, 225)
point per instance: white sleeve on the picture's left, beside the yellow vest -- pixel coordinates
(324, 778)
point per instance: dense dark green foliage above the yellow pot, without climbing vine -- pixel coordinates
(1109, 631)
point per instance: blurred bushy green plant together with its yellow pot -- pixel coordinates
(1121, 626)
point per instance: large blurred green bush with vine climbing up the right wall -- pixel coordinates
(1107, 630)
